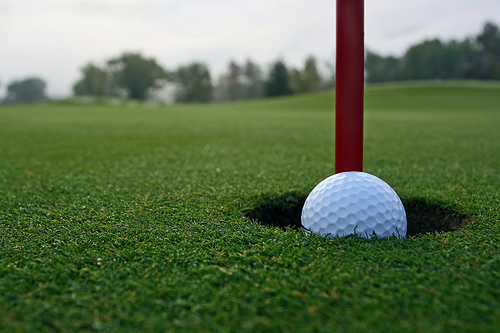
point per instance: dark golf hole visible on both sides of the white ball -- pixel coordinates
(284, 211)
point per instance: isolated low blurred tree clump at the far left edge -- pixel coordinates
(28, 90)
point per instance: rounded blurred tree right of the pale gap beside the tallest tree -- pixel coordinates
(193, 83)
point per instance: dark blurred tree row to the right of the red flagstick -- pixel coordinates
(472, 58)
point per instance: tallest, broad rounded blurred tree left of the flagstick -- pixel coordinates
(135, 74)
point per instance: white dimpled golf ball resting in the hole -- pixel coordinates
(354, 203)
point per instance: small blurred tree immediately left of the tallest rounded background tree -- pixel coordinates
(93, 82)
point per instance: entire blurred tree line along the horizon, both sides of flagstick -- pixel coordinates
(134, 76)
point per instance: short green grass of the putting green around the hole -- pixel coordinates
(121, 218)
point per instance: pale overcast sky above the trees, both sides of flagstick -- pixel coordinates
(53, 39)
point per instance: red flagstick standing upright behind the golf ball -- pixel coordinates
(349, 86)
